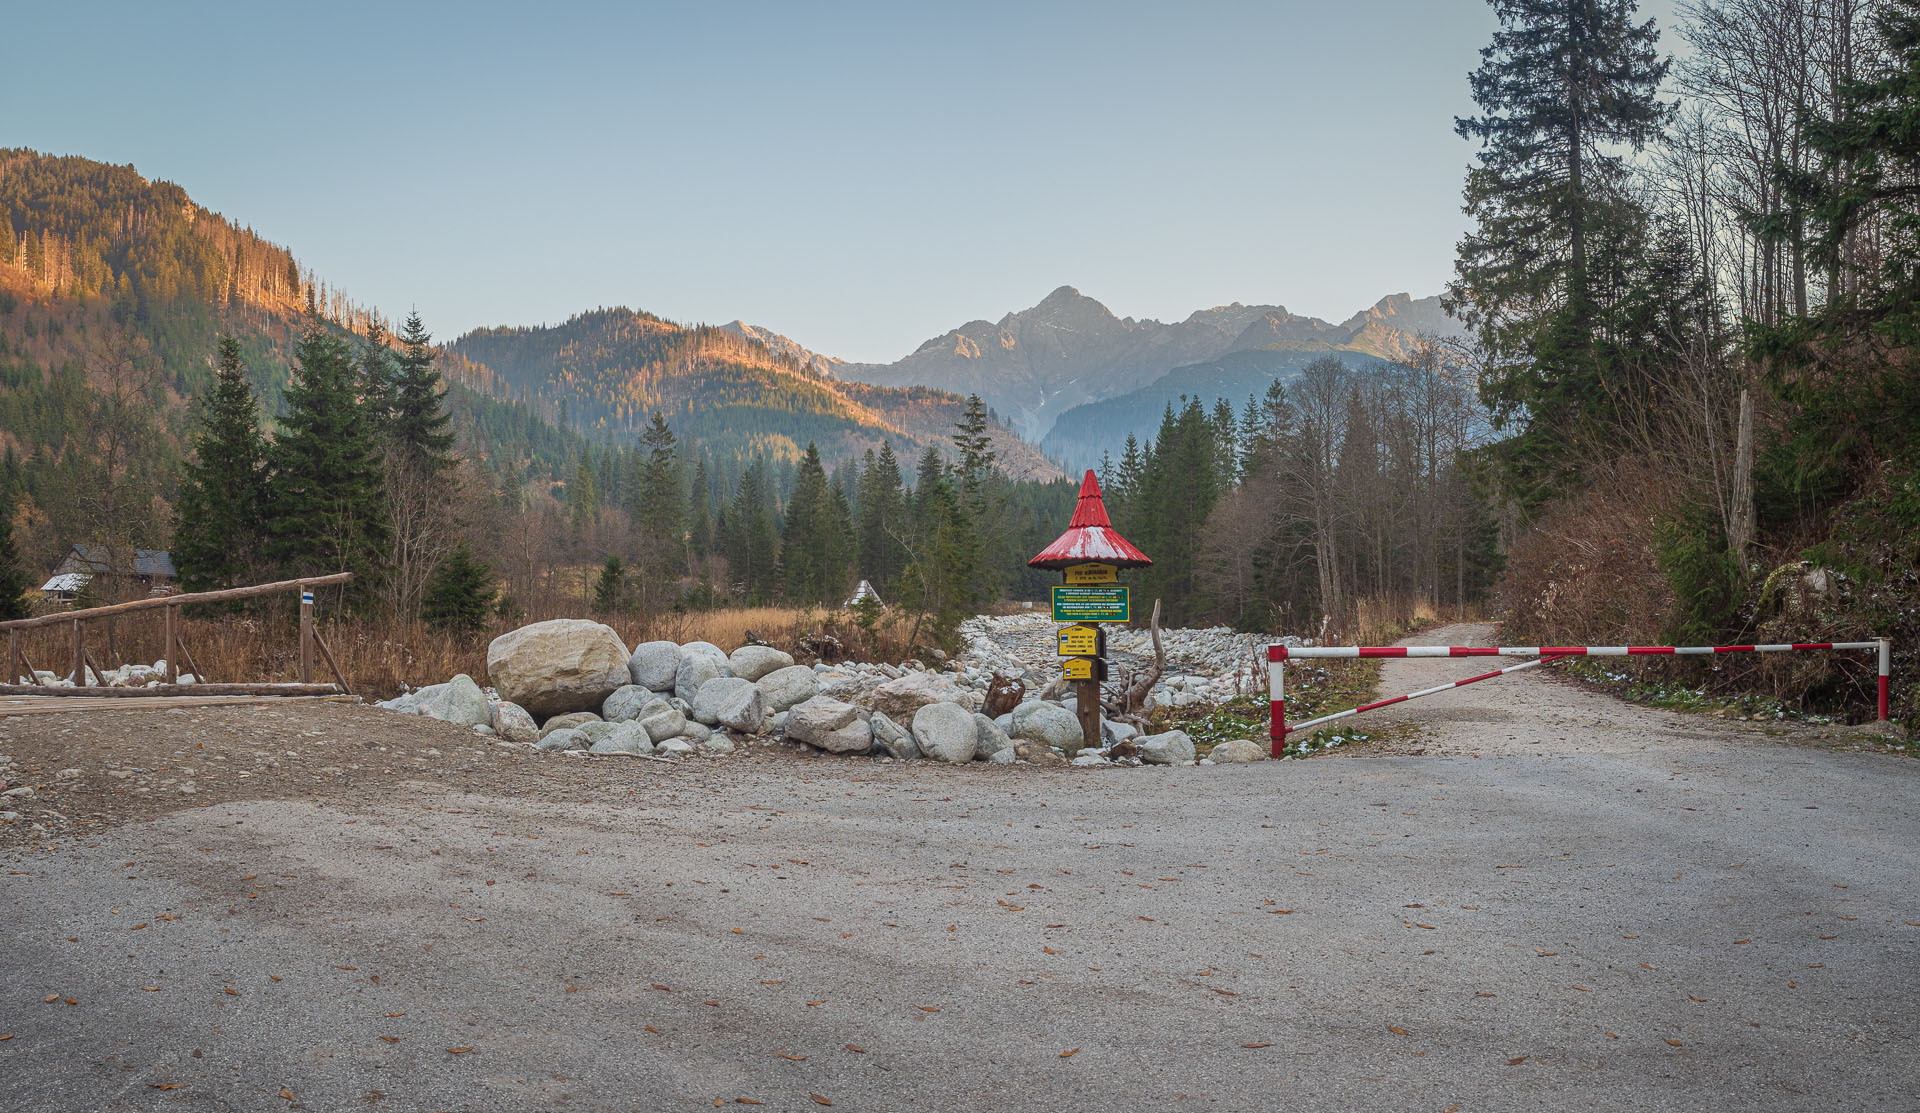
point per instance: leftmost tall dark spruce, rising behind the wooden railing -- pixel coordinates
(220, 533)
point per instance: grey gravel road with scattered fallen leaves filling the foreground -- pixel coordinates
(1610, 909)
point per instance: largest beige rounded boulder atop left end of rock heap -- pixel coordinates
(564, 665)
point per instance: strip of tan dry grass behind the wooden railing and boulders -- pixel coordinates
(381, 657)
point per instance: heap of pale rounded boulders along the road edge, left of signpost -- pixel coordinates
(573, 686)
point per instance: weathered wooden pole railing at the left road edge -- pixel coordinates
(176, 646)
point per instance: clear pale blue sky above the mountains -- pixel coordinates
(859, 178)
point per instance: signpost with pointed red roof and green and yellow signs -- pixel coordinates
(1090, 557)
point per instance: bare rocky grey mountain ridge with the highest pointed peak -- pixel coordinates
(1038, 364)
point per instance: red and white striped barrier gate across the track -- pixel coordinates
(1280, 655)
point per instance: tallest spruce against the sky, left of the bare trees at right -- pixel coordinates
(1564, 87)
